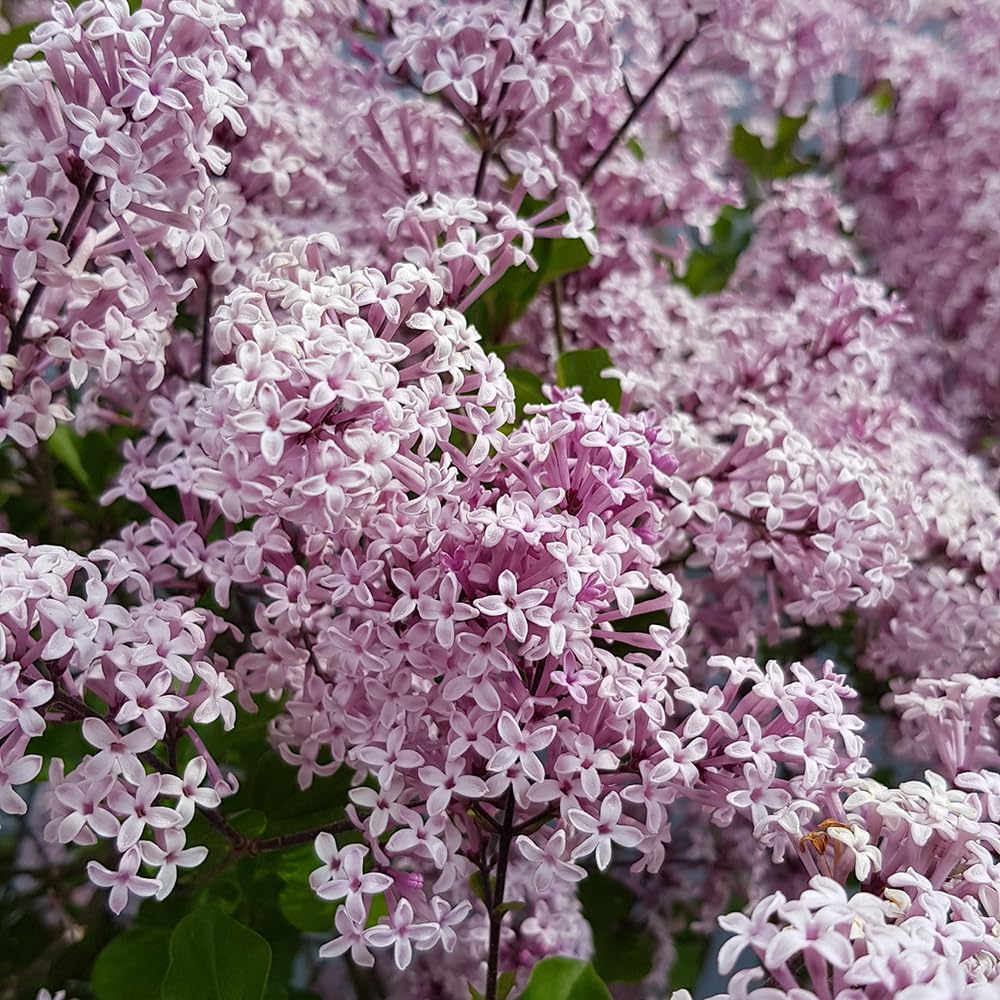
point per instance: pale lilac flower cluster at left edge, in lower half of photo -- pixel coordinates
(65, 640)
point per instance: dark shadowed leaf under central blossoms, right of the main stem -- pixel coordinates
(623, 948)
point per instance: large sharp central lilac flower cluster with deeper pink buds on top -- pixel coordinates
(488, 616)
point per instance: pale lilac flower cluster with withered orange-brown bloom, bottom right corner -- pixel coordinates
(925, 922)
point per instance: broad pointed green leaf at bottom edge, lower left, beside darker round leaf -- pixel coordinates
(212, 957)
